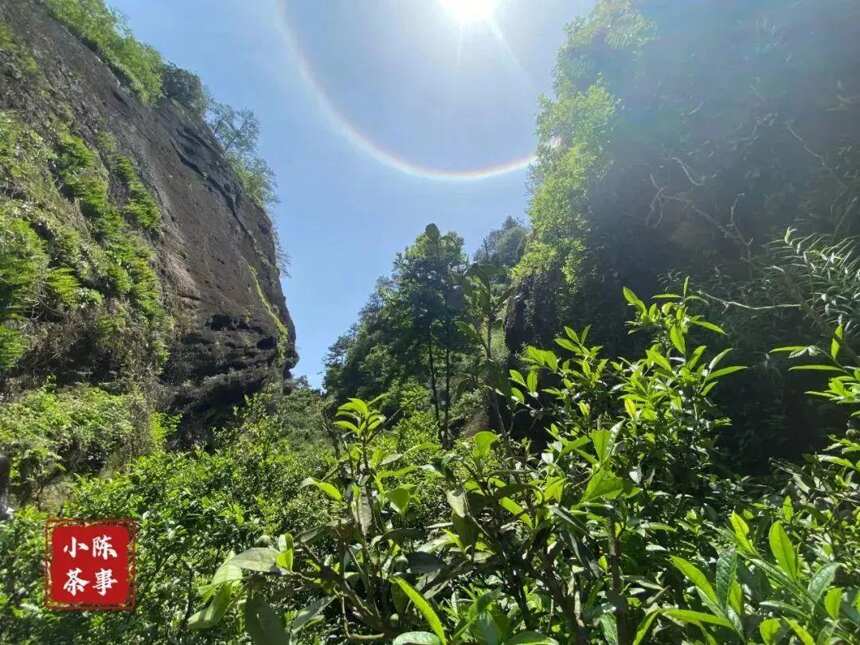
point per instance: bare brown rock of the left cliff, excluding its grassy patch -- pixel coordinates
(228, 331)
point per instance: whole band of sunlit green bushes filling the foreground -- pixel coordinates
(625, 524)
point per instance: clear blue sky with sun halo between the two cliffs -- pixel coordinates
(378, 117)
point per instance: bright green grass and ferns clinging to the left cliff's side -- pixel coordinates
(75, 252)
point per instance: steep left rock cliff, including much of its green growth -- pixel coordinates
(226, 330)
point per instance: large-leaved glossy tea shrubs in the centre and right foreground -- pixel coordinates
(611, 530)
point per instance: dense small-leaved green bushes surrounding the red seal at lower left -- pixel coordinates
(191, 508)
